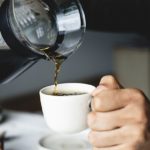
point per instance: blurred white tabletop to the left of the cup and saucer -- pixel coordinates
(23, 130)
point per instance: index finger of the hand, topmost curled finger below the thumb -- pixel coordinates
(110, 100)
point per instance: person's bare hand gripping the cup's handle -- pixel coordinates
(120, 117)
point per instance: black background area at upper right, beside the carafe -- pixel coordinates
(118, 15)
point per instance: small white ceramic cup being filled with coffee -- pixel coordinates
(66, 114)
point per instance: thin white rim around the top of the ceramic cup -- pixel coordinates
(62, 84)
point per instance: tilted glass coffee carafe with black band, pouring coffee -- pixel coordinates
(35, 29)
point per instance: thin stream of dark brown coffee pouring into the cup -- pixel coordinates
(58, 59)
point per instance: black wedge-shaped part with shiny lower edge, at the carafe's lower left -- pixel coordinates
(12, 65)
